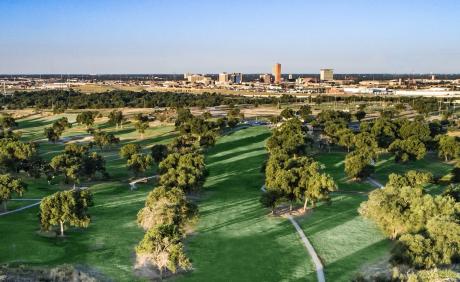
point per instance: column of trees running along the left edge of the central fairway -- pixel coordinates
(167, 209)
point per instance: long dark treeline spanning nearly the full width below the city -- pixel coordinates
(69, 99)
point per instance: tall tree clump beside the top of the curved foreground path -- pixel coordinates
(290, 174)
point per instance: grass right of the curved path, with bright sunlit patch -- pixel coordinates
(344, 241)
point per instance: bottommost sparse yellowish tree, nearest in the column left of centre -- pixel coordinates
(162, 246)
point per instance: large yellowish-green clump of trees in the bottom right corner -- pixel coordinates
(426, 227)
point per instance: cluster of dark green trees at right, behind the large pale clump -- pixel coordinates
(406, 139)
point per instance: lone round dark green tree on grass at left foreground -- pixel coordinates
(66, 208)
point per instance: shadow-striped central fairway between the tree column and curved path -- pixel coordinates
(235, 240)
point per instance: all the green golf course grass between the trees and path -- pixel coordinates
(234, 240)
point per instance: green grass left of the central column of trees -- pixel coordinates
(107, 246)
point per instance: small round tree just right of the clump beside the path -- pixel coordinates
(358, 165)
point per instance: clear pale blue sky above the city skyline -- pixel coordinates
(157, 36)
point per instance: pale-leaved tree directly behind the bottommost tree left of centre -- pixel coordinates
(166, 206)
